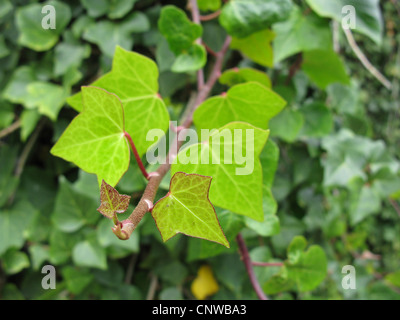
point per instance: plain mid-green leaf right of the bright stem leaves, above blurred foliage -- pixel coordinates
(327, 61)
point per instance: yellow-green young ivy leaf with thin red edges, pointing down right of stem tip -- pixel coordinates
(186, 209)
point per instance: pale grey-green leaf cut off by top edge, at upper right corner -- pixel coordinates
(368, 14)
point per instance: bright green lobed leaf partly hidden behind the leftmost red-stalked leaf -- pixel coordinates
(134, 79)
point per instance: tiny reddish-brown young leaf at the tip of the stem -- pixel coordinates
(111, 201)
